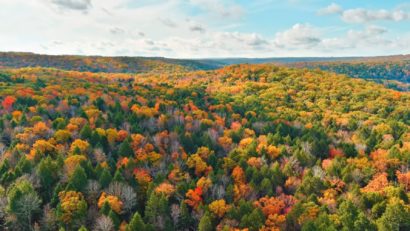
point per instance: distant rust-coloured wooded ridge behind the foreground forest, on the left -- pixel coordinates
(99, 63)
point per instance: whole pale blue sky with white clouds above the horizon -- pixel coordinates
(206, 28)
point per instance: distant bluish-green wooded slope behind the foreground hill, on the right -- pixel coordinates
(392, 71)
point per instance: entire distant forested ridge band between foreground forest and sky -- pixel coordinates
(391, 71)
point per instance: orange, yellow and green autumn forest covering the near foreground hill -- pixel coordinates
(254, 147)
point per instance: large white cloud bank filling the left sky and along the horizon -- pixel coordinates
(141, 31)
